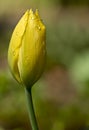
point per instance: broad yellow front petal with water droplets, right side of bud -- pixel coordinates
(32, 53)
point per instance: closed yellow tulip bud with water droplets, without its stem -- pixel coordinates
(27, 49)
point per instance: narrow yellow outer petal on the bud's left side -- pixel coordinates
(15, 43)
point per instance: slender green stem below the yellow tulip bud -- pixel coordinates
(31, 109)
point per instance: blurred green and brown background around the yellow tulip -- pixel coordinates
(61, 96)
